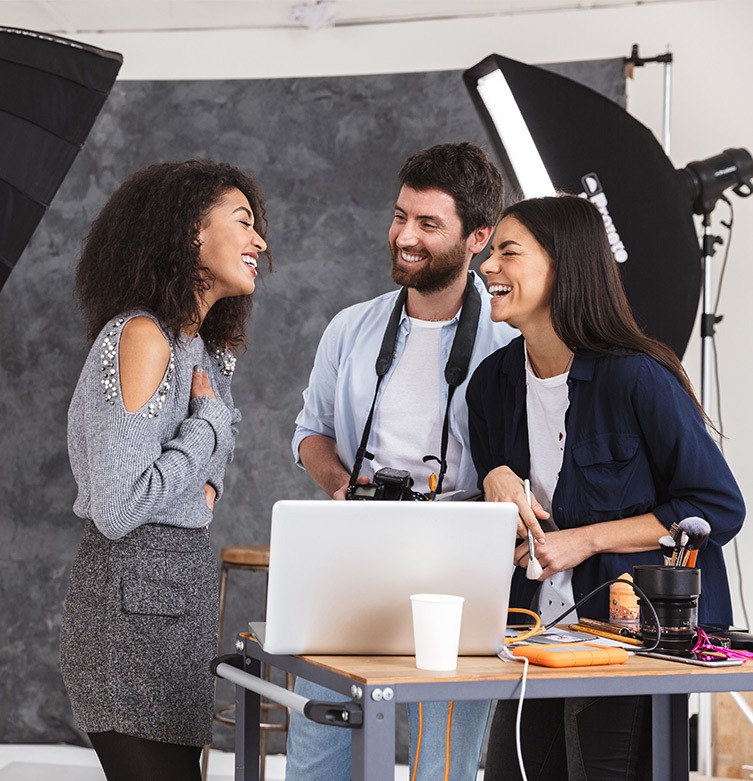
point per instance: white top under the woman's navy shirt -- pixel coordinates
(547, 401)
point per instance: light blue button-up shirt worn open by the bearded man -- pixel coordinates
(341, 386)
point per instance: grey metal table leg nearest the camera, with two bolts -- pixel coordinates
(373, 745)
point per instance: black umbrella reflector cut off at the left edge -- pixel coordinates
(52, 91)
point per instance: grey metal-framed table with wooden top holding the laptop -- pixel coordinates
(373, 743)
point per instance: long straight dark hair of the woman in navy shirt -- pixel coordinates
(590, 310)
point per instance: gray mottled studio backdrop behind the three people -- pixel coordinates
(326, 151)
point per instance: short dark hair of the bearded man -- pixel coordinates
(464, 171)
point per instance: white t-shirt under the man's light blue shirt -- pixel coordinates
(408, 419)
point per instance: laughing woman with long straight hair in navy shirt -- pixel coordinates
(603, 422)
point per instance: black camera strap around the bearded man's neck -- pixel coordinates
(455, 371)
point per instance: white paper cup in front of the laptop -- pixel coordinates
(436, 630)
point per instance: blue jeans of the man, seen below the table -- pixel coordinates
(316, 752)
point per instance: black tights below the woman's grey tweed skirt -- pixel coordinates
(127, 758)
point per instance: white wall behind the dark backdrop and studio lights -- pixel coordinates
(712, 110)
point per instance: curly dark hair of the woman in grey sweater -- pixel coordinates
(142, 251)
